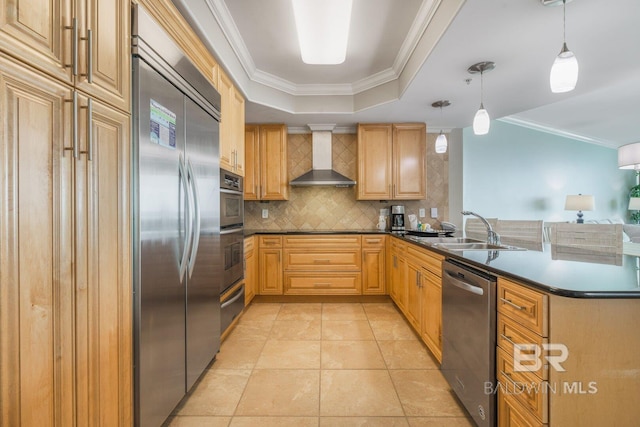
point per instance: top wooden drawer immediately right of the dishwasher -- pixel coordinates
(524, 305)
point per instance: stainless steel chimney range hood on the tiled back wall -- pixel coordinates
(321, 172)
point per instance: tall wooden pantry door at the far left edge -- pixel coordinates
(36, 250)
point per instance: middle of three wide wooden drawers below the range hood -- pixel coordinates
(335, 260)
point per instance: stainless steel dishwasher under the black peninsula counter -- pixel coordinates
(469, 338)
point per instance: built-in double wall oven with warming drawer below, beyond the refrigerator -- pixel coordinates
(232, 242)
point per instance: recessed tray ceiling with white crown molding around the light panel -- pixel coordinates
(387, 46)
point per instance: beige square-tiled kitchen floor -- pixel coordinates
(321, 364)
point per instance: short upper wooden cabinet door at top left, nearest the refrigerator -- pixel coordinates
(104, 50)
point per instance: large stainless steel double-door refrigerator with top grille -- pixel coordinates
(177, 263)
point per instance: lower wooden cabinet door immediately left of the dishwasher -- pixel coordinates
(431, 319)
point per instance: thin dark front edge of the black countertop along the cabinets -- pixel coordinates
(540, 286)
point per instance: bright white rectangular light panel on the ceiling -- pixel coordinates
(323, 29)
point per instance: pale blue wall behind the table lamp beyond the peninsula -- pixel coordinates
(519, 173)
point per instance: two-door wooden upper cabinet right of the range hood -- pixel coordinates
(392, 161)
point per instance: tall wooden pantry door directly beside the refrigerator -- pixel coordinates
(103, 277)
